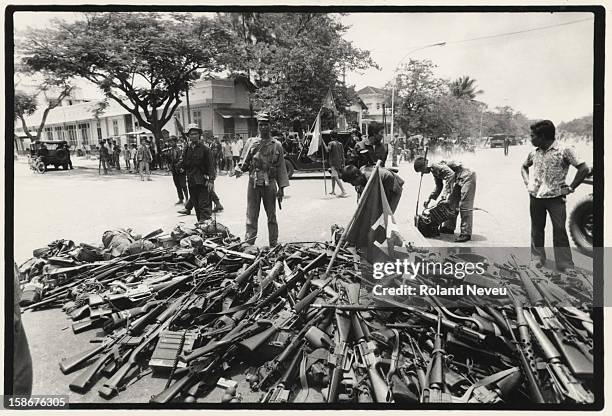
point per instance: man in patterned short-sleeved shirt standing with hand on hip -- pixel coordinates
(547, 190)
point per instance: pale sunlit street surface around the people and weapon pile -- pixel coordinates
(80, 205)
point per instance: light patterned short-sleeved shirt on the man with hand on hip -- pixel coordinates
(550, 166)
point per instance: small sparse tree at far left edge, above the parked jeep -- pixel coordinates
(53, 89)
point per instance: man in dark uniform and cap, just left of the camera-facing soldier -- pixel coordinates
(200, 172)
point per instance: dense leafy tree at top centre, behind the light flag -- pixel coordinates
(294, 58)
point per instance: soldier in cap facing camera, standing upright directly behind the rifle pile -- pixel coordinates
(263, 157)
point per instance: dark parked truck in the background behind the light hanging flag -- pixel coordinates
(297, 158)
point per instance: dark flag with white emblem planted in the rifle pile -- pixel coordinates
(373, 229)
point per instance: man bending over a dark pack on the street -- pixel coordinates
(459, 184)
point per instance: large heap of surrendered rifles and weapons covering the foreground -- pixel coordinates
(298, 319)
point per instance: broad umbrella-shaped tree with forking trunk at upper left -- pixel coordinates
(143, 61)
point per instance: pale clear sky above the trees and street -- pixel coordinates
(546, 72)
